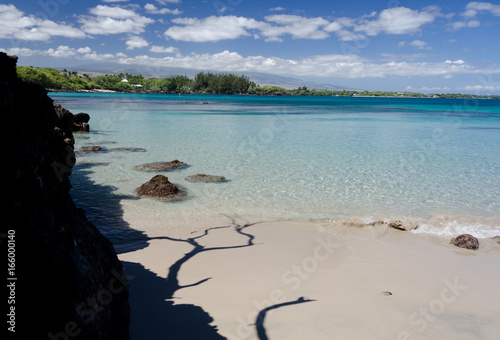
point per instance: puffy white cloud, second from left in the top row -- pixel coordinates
(114, 20)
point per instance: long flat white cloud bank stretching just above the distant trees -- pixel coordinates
(338, 66)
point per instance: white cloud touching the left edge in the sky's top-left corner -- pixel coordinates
(16, 25)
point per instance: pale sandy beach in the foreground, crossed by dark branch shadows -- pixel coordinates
(244, 279)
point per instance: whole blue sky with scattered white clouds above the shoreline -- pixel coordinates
(424, 46)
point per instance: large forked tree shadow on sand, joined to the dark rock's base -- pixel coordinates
(151, 296)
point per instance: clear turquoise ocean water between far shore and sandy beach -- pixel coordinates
(298, 158)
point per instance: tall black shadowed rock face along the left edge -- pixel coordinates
(70, 283)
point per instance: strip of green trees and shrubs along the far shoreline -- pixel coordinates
(221, 83)
